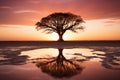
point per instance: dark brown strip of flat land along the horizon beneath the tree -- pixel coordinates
(115, 43)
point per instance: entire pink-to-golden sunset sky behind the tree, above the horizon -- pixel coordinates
(18, 18)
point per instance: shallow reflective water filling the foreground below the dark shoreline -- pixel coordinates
(81, 63)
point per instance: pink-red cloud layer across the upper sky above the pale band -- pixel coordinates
(88, 9)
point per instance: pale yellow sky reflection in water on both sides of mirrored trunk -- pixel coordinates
(52, 52)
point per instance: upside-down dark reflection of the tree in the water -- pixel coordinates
(60, 66)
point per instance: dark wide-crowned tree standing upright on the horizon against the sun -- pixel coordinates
(60, 23)
